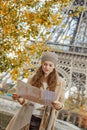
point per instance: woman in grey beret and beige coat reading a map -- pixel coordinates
(46, 78)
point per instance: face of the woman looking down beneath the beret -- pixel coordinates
(47, 67)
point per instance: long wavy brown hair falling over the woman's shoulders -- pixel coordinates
(52, 79)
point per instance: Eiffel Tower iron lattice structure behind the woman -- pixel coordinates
(70, 42)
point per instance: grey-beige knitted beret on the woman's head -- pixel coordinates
(50, 56)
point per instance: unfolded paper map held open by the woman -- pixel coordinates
(34, 94)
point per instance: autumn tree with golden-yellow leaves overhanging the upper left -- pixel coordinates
(23, 21)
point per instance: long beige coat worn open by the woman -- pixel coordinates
(23, 116)
